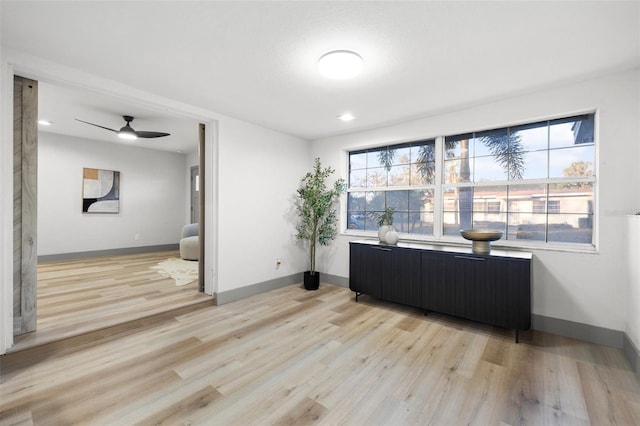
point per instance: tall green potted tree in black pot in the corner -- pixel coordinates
(318, 222)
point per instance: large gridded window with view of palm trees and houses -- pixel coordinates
(533, 181)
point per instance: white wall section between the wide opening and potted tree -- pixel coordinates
(259, 171)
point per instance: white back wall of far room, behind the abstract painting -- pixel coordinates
(152, 202)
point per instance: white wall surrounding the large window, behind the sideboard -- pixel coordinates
(589, 288)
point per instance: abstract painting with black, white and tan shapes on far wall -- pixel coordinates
(100, 191)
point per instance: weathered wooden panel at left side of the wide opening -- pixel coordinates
(25, 182)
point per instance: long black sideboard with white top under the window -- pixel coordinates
(493, 289)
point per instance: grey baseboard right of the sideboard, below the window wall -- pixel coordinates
(580, 331)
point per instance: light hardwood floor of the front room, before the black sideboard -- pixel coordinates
(293, 357)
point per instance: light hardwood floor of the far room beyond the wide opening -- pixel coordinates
(78, 296)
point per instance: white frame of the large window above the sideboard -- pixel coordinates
(439, 185)
